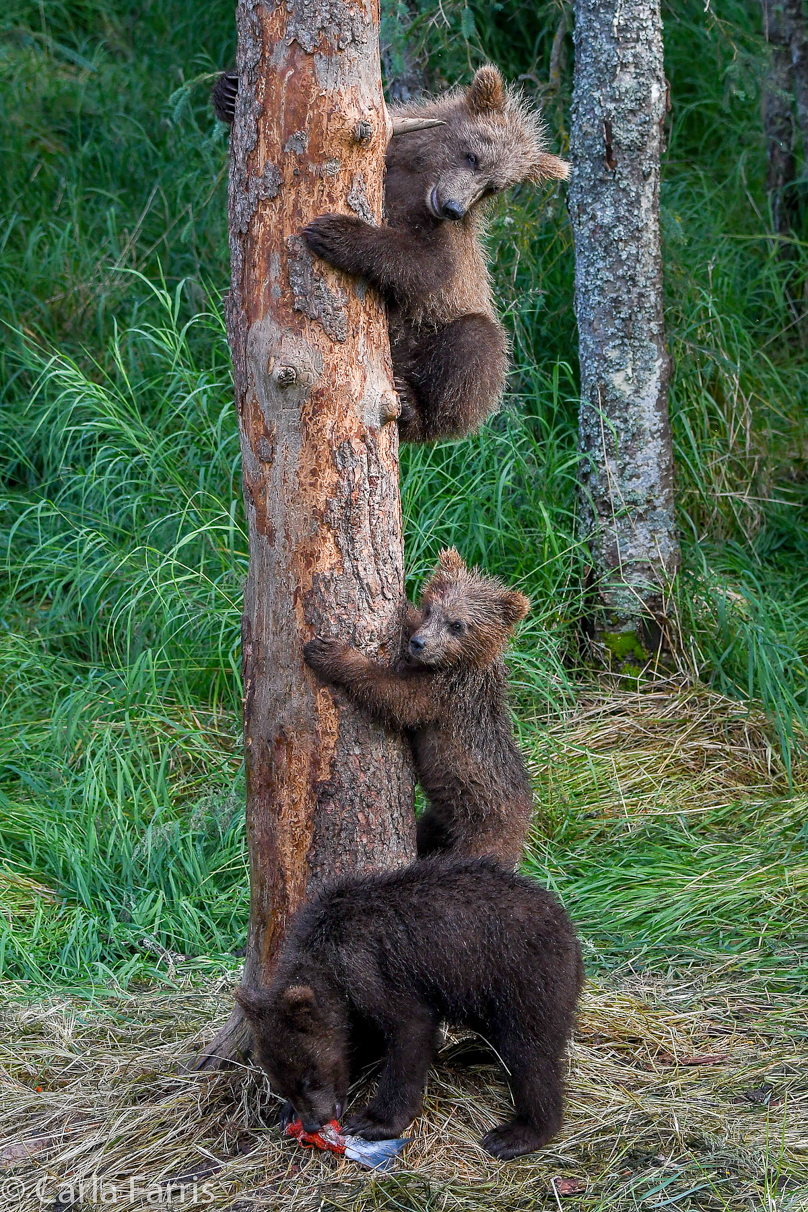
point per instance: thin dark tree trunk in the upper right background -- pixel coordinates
(778, 115)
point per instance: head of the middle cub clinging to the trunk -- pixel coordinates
(467, 618)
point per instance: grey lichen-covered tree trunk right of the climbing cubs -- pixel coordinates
(620, 105)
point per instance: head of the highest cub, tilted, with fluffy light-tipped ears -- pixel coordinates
(489, 142)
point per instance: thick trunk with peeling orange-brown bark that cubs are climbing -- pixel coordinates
(329, 791)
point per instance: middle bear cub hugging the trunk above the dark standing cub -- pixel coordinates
(451, 696)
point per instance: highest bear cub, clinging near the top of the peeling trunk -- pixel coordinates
(450, 353)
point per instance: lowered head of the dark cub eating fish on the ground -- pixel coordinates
(302, 1045)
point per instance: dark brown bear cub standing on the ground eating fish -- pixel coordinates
(396, 954)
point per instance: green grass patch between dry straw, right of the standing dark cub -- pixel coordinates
(667, 893)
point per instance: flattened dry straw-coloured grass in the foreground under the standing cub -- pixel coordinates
(672, 1089)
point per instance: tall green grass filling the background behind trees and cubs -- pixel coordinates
(123, 546)
